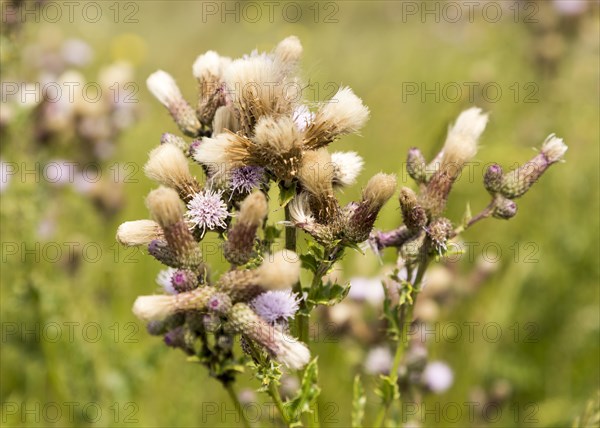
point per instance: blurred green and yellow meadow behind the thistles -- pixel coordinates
(548, 73)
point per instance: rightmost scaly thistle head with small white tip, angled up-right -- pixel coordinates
(518, 181)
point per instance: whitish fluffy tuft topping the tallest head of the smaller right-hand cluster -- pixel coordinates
(461, 142)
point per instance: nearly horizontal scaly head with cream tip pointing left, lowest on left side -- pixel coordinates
(148, 308)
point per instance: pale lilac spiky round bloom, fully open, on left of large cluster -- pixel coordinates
(207, 210)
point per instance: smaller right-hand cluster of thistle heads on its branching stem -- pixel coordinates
(425, 231)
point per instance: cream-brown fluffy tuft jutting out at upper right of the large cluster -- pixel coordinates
(344, 113)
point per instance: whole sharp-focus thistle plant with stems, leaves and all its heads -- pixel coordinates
(252, 135)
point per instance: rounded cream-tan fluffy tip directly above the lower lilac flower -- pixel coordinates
(279, 270)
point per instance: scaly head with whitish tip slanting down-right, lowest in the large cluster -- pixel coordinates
(282, 347)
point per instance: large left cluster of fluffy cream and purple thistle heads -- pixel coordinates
(250, 129)
